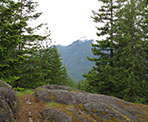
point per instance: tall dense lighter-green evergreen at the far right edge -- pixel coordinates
(131, 61)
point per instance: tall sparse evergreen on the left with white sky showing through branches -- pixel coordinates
(31, 43)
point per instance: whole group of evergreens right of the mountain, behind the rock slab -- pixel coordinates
(121, 52)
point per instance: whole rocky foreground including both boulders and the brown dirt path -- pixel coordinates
(52, 103)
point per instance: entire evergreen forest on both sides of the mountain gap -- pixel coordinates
(121, 60)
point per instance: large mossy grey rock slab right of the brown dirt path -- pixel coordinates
(76, 106)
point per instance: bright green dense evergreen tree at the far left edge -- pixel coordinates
(9, 40)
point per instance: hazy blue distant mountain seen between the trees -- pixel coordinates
(74, 56)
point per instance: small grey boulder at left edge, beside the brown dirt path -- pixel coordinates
(8, 103)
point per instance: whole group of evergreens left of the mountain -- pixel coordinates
(26, 62)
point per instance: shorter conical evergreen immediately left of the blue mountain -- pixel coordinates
(53, 69)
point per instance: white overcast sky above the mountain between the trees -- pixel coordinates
(68, 20)
